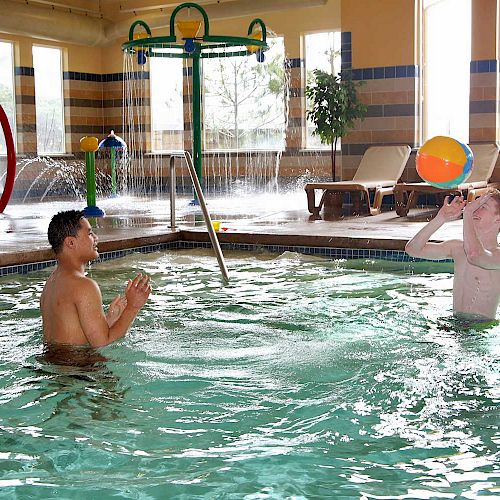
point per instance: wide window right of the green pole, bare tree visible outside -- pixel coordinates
(244, 101)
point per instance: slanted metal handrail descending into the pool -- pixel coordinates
(203, 206)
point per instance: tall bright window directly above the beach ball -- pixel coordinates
(446, 75)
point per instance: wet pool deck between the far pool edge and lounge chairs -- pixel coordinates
(260, 220)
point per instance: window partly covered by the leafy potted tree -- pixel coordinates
(322, 52)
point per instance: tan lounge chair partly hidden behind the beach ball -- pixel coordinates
(485, 157)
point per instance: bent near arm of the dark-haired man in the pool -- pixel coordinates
(92, 319)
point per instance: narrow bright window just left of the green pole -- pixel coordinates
(167, 121)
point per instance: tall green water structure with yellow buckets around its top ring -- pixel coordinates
(189, 45)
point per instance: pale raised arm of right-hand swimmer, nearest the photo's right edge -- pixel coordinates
(476, 254)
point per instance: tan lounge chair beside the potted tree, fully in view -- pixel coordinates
(379, 170)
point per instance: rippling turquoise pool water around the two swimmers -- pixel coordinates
(303, 378)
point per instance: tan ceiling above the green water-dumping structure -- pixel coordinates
(99, 22)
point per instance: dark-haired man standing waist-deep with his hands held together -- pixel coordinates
(71, 303)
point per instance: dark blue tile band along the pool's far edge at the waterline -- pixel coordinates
(327, 252)
